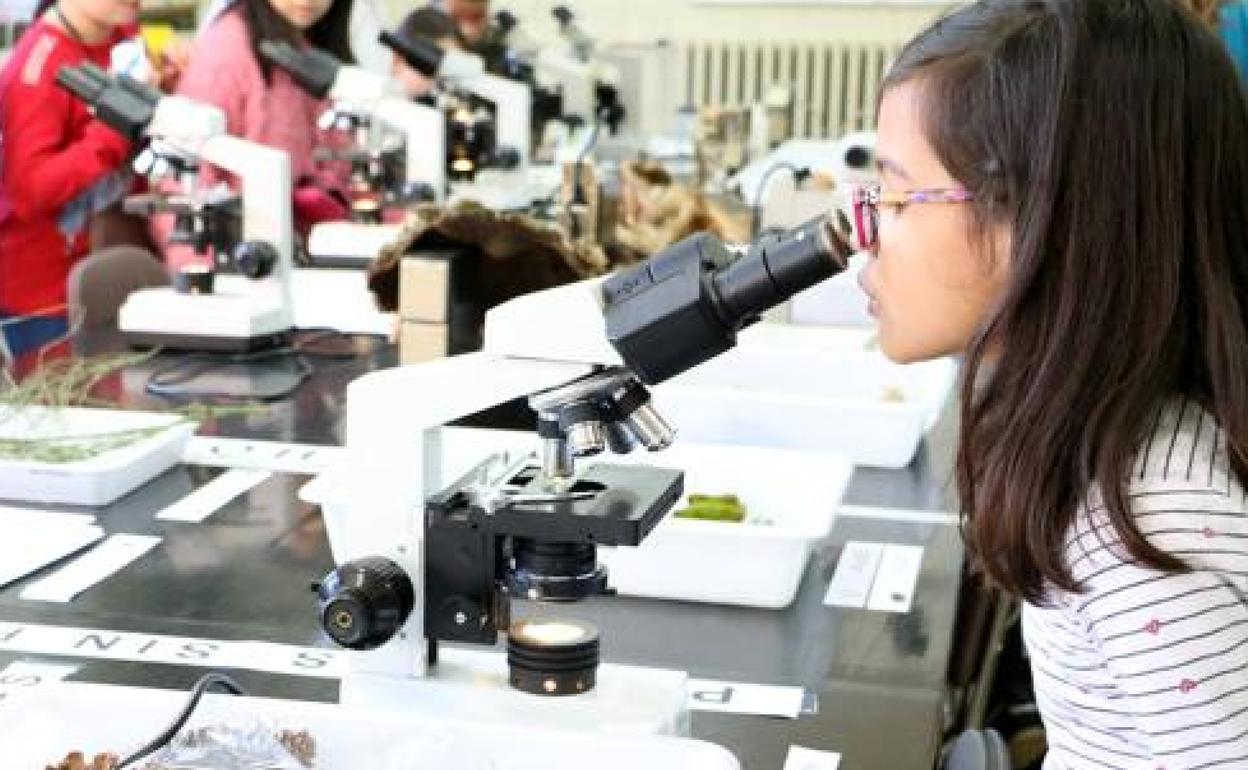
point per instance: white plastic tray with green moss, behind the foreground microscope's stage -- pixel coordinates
(749, 565)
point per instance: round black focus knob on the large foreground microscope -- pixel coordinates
(365, 603)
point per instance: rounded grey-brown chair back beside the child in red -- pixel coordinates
(102, 281)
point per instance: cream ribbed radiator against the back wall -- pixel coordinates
(834, 84)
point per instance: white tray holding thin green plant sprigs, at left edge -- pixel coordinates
(97, 481)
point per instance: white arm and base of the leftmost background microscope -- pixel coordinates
(241, 314)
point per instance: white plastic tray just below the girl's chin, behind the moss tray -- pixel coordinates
(857, 404)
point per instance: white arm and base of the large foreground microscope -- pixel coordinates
(394, 464)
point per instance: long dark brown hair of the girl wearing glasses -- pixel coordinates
(1113, 138)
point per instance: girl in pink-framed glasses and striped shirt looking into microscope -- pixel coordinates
(1065, 202)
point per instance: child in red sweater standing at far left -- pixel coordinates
(58, 164)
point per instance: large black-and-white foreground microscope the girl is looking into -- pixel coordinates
(426, 560)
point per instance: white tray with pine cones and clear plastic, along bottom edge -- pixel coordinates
(39, 727)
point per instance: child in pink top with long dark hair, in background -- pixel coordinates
(263, 103)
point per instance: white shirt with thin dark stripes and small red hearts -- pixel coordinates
(1148, 671)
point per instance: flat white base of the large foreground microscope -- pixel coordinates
(472, 686)
